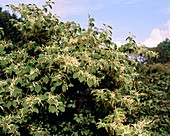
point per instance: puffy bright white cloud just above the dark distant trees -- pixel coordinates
(158, 35)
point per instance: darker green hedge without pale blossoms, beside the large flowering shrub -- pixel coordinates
(156, 84)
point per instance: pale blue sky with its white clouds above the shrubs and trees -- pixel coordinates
(148, 20)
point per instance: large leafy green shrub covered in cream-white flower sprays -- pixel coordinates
(62, 79)
